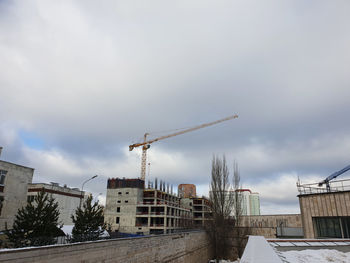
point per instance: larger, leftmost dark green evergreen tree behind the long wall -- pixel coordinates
(36, 224)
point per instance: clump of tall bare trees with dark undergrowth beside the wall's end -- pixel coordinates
(226, 200)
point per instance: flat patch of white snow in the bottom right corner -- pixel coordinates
(315, 256)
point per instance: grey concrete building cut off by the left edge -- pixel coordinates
(14, 181)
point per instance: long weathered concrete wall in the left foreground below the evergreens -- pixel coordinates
(185, 247)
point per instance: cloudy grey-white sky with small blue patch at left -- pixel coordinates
(82, 80)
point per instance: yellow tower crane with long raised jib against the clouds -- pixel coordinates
(146, 144)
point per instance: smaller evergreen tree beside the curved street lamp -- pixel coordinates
(88, 221)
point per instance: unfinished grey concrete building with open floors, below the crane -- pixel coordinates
(130, 208)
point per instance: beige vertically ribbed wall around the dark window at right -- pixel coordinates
(333, 204)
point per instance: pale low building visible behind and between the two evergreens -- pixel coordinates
(68, 198)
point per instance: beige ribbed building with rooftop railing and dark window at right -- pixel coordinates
(325, 213)
